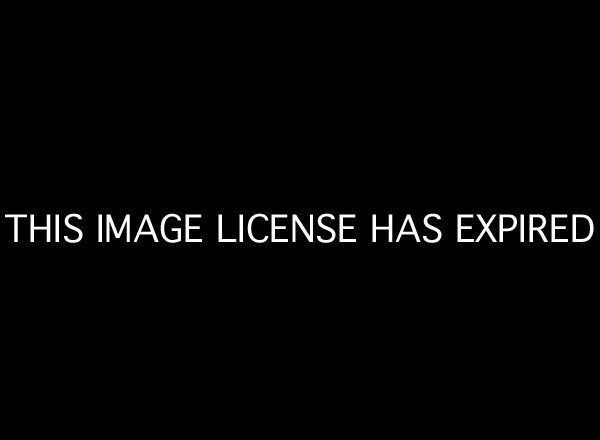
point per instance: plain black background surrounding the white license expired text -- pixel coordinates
(368, 113)
